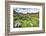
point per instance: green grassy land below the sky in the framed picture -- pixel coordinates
(27, 20)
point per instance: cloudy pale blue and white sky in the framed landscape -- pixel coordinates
(25, 10)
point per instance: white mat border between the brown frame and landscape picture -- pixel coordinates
(25, 29)
